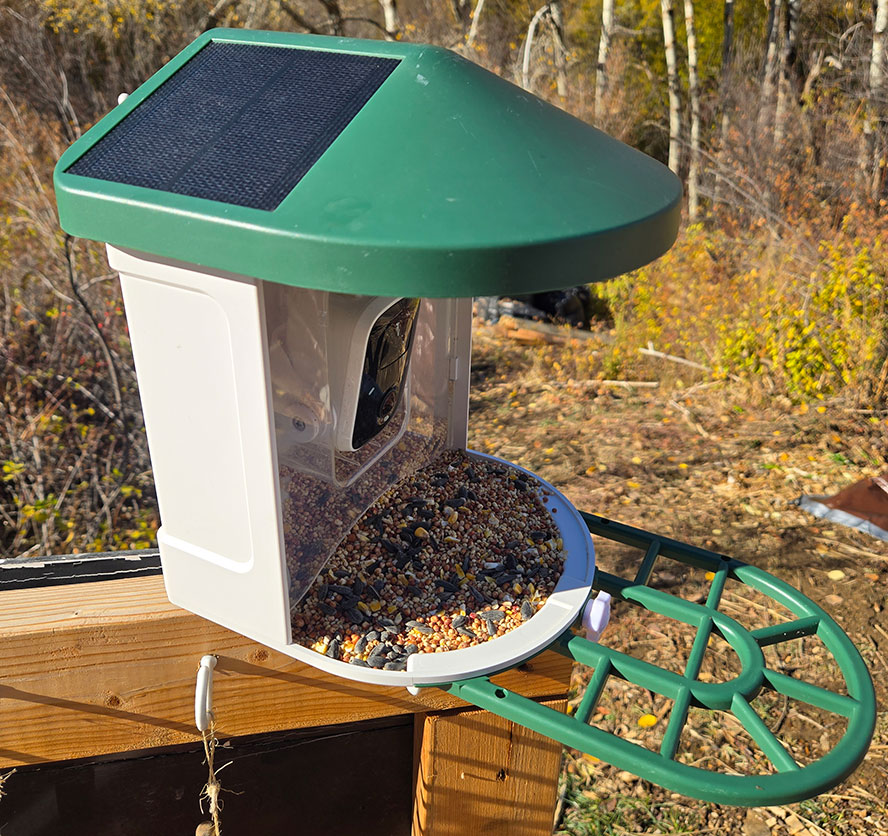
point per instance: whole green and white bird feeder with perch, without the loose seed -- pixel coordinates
(299, 224)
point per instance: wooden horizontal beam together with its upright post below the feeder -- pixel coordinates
(91, 669)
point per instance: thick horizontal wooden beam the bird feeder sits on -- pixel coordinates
(96, 668)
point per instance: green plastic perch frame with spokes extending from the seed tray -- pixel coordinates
(790, 781)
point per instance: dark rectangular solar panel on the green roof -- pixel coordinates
(239, 123)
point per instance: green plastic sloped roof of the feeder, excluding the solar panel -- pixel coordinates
(449, 182)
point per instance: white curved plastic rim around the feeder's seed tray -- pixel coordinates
(551, 620)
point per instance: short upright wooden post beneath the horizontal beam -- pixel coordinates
(480, 773)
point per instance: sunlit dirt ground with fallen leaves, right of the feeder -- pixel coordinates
(708, 465)
